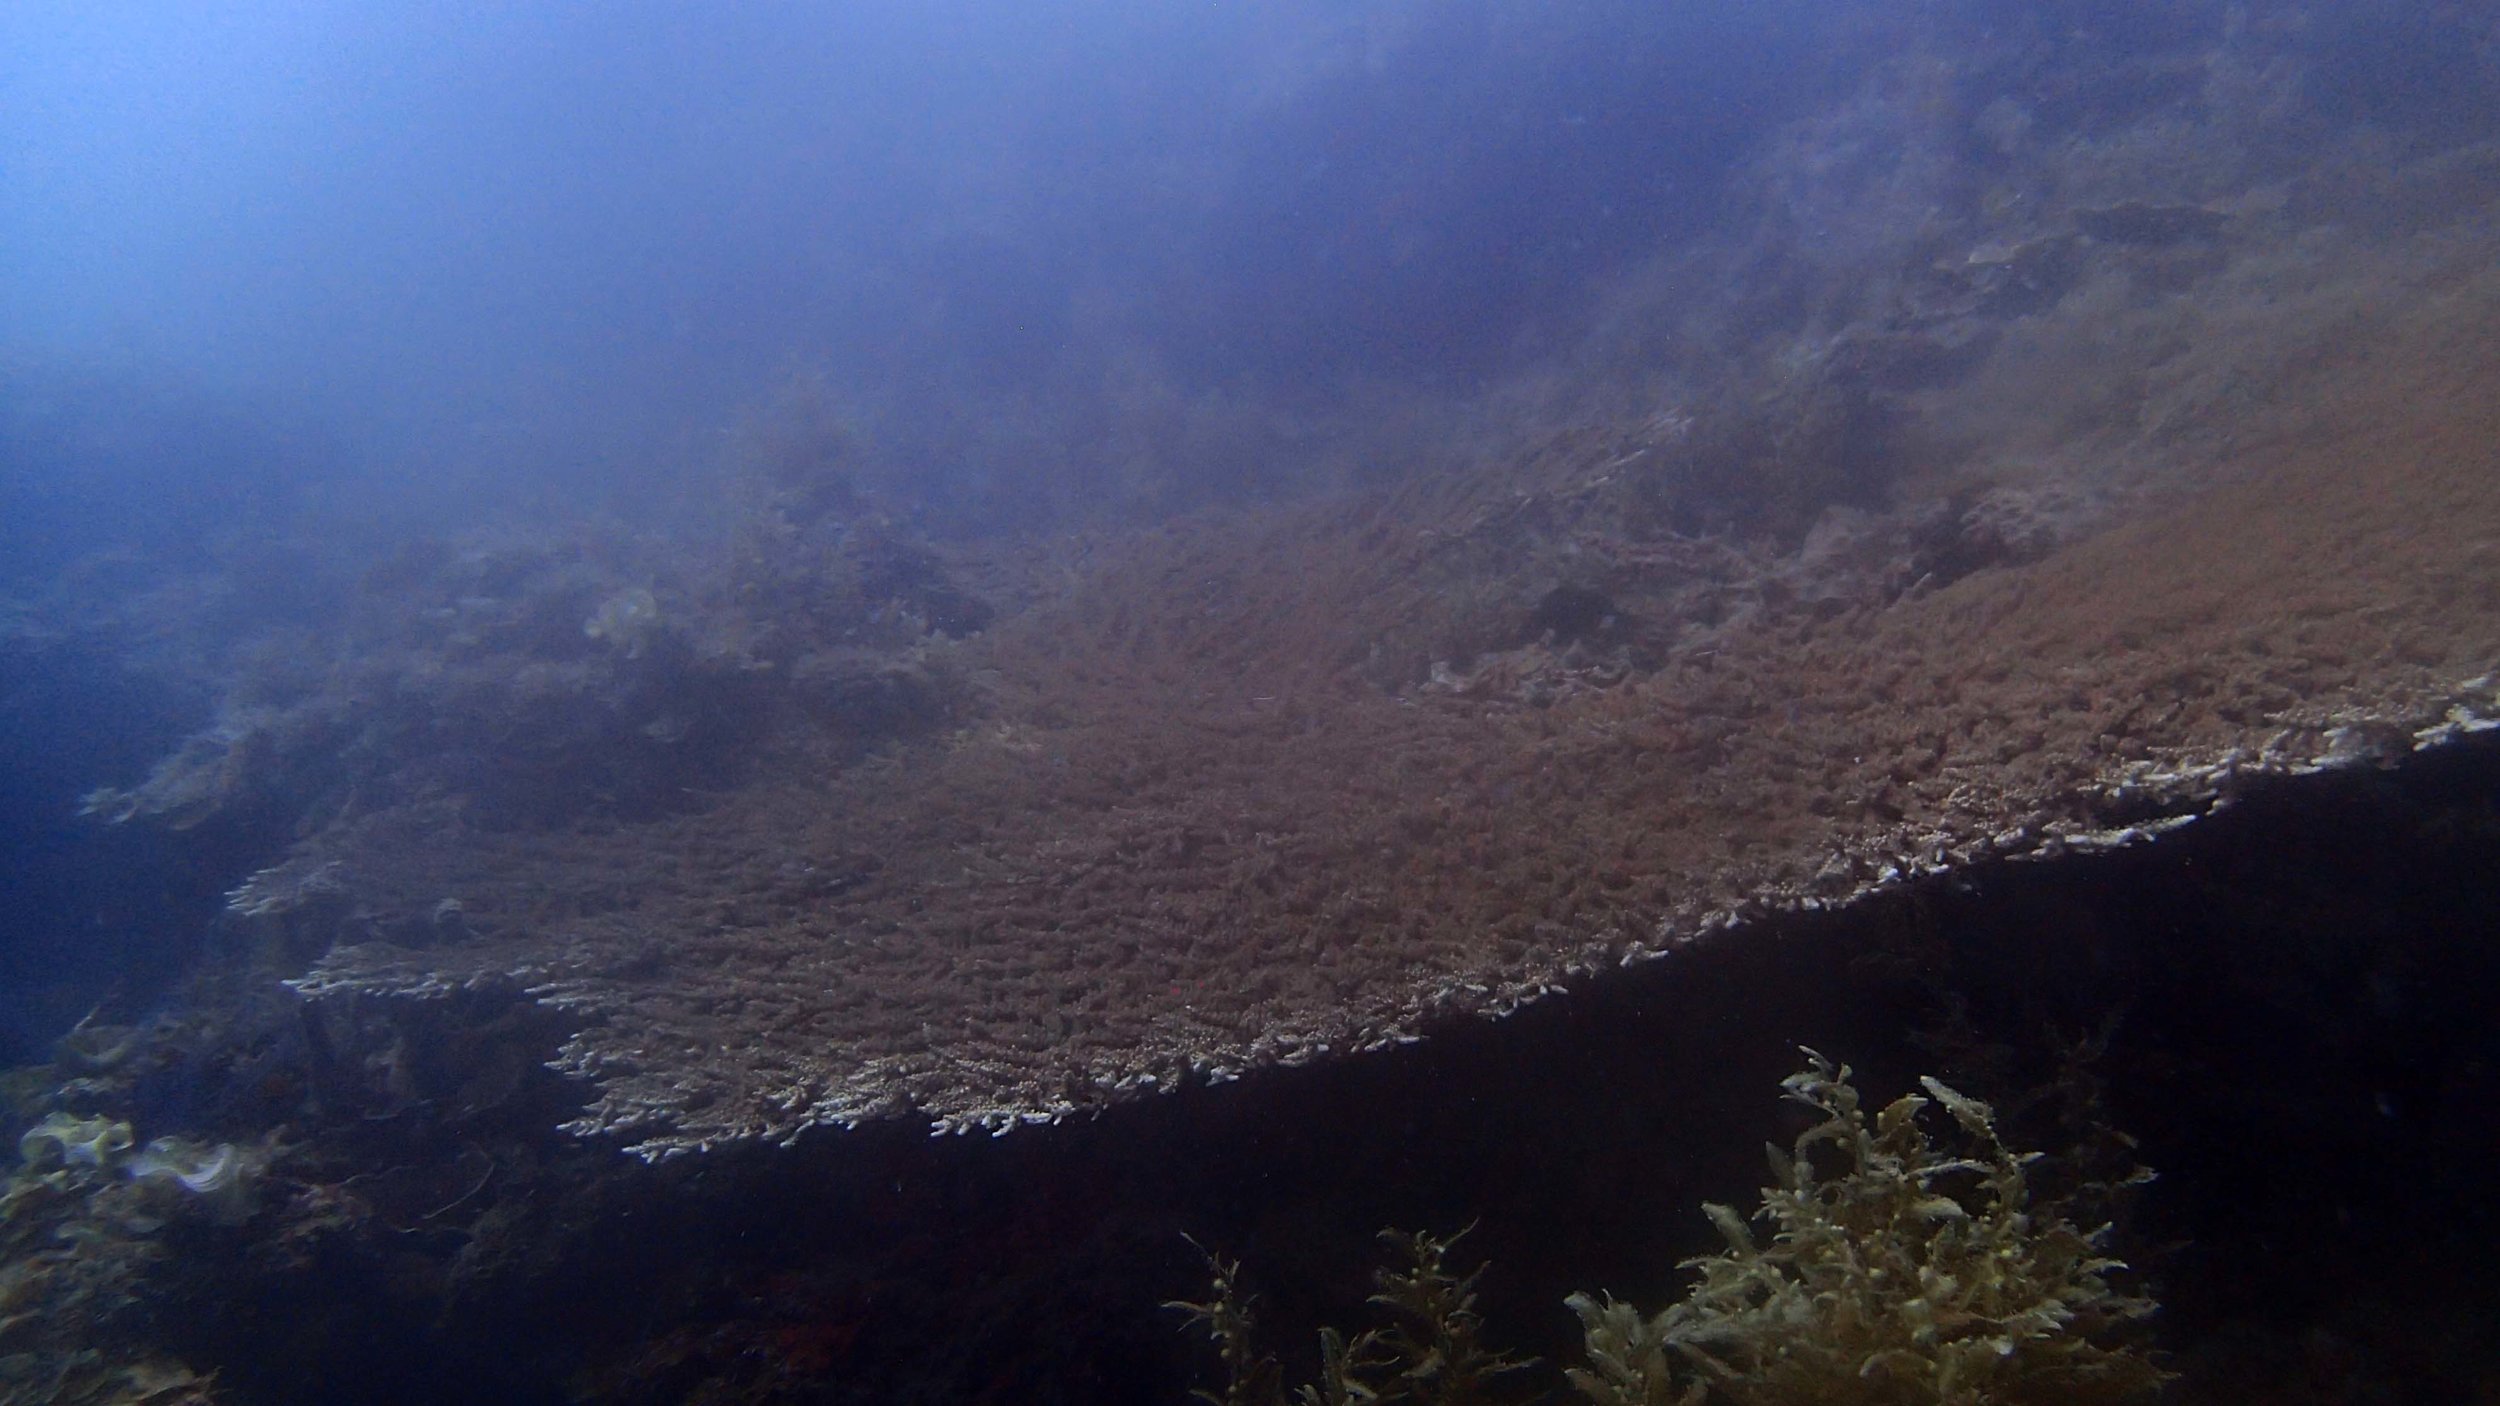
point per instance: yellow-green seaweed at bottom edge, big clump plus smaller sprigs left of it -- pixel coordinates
(1904, 1275)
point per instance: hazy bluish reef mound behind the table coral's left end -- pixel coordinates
(549, 682)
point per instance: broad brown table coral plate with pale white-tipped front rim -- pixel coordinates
(1209, 819)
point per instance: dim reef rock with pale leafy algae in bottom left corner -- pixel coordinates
(129, 1270)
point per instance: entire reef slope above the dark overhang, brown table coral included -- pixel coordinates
(2079, 429)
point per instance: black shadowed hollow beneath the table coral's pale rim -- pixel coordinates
(434, 1230)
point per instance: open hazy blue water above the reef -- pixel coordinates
(551, 246)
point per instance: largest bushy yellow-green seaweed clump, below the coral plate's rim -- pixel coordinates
(1911, 1275)
